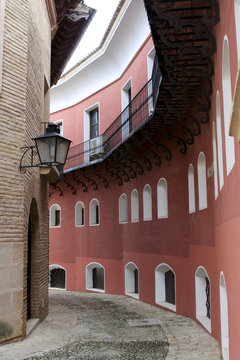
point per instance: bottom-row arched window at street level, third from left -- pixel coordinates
(131, 280)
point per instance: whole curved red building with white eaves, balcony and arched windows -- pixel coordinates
(148, 205)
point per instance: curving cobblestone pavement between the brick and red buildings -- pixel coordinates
(94, 326)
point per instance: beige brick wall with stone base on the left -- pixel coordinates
(26, 64)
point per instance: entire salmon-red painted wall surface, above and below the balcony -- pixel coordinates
(208, 238)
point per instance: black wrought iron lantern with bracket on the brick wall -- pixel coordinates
(51, 149)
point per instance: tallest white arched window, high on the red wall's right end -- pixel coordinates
(227, 105)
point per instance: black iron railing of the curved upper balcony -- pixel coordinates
(131, 119)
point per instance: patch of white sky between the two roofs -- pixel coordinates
(96, 29)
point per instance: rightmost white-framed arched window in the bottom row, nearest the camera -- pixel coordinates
(224, 317)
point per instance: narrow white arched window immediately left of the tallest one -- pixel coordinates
(219, 140)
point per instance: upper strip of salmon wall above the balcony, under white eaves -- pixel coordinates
(73, 117)
